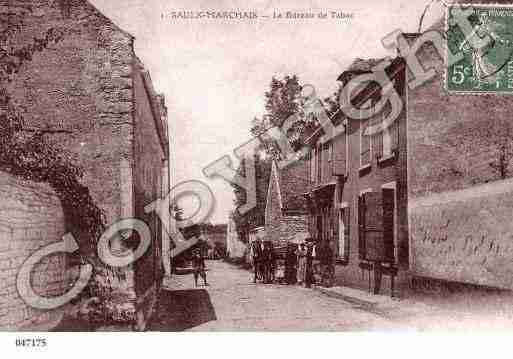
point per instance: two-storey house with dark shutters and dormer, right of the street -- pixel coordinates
(357, 195)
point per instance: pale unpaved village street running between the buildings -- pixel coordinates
(232, 303)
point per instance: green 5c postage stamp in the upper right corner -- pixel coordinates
(487, 68)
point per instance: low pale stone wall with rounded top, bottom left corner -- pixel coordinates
(30, 218)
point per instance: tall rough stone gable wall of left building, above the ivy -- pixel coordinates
(80, 86)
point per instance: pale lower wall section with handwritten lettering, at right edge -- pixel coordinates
(465, 236)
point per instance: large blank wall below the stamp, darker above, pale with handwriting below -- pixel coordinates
(459, 205)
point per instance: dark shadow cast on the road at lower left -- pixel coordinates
(179, 310)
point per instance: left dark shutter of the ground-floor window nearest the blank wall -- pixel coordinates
(374, 243)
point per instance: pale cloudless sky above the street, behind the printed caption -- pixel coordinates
(214, 73)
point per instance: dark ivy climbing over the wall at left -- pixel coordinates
(28, 154)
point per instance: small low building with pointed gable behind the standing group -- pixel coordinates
(285, 211)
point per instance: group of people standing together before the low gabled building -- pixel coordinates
(298, 262)
